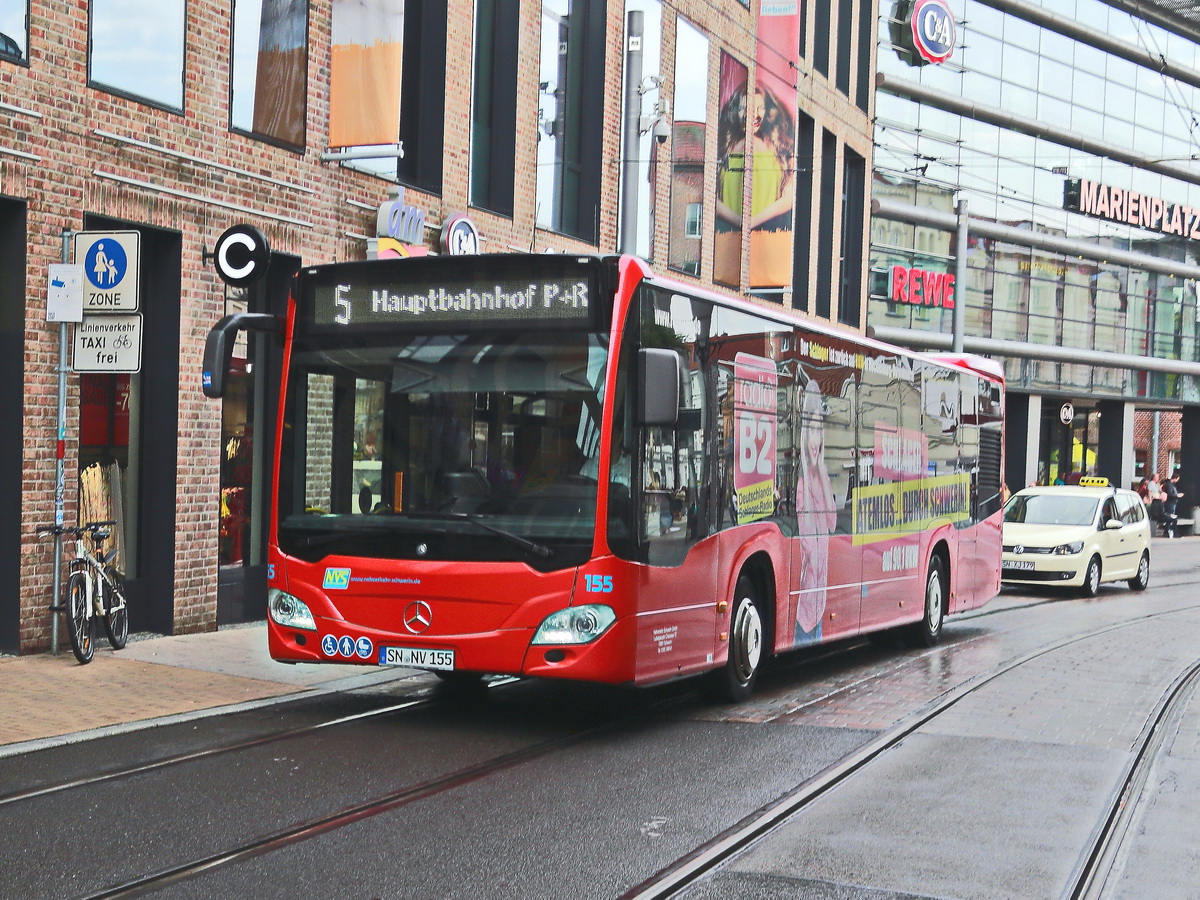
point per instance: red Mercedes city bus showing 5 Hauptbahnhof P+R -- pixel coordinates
(571, 467)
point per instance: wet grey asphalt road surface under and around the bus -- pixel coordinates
(536, 790)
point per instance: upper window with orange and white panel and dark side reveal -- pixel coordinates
(387, 86)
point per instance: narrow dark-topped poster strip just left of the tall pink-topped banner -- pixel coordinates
(731, 139)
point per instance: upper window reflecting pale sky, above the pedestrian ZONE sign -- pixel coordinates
(137, 50)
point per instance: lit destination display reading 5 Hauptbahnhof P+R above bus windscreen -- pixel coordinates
(512, 301)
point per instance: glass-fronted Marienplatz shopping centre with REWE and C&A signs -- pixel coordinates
(1071, 128)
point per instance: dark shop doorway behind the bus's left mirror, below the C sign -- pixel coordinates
(248, 431)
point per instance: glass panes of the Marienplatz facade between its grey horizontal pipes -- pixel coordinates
(932, 158)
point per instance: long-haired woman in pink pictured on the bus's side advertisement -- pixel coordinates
(817, 517)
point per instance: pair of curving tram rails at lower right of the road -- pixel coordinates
(1097, 860)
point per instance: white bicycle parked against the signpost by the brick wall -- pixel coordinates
(95, 590)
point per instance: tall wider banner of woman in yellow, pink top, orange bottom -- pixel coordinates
(772, 111)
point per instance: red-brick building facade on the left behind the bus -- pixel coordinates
(80, 154)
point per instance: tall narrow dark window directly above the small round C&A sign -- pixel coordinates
(494, 115)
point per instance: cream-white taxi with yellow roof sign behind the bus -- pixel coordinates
(1077, 537)
